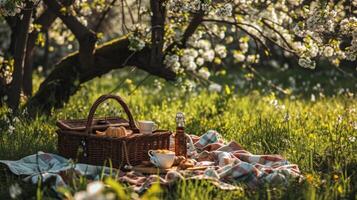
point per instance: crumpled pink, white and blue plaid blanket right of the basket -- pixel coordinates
(228, 164)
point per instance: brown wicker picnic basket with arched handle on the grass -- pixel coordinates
(77, 139)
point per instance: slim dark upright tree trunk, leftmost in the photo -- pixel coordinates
(14, 91)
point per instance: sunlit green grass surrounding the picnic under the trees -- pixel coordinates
(320, 136)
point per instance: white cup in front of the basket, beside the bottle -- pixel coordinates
(162, 159)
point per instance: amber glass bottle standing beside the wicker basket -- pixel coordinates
(180, 137)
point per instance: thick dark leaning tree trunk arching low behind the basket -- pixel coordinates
(67, 76)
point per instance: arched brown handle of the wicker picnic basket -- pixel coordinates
(103, 98)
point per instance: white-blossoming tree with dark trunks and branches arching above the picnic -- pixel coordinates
(171, 38)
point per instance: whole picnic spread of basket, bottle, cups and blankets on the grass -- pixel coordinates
(144, 156)
